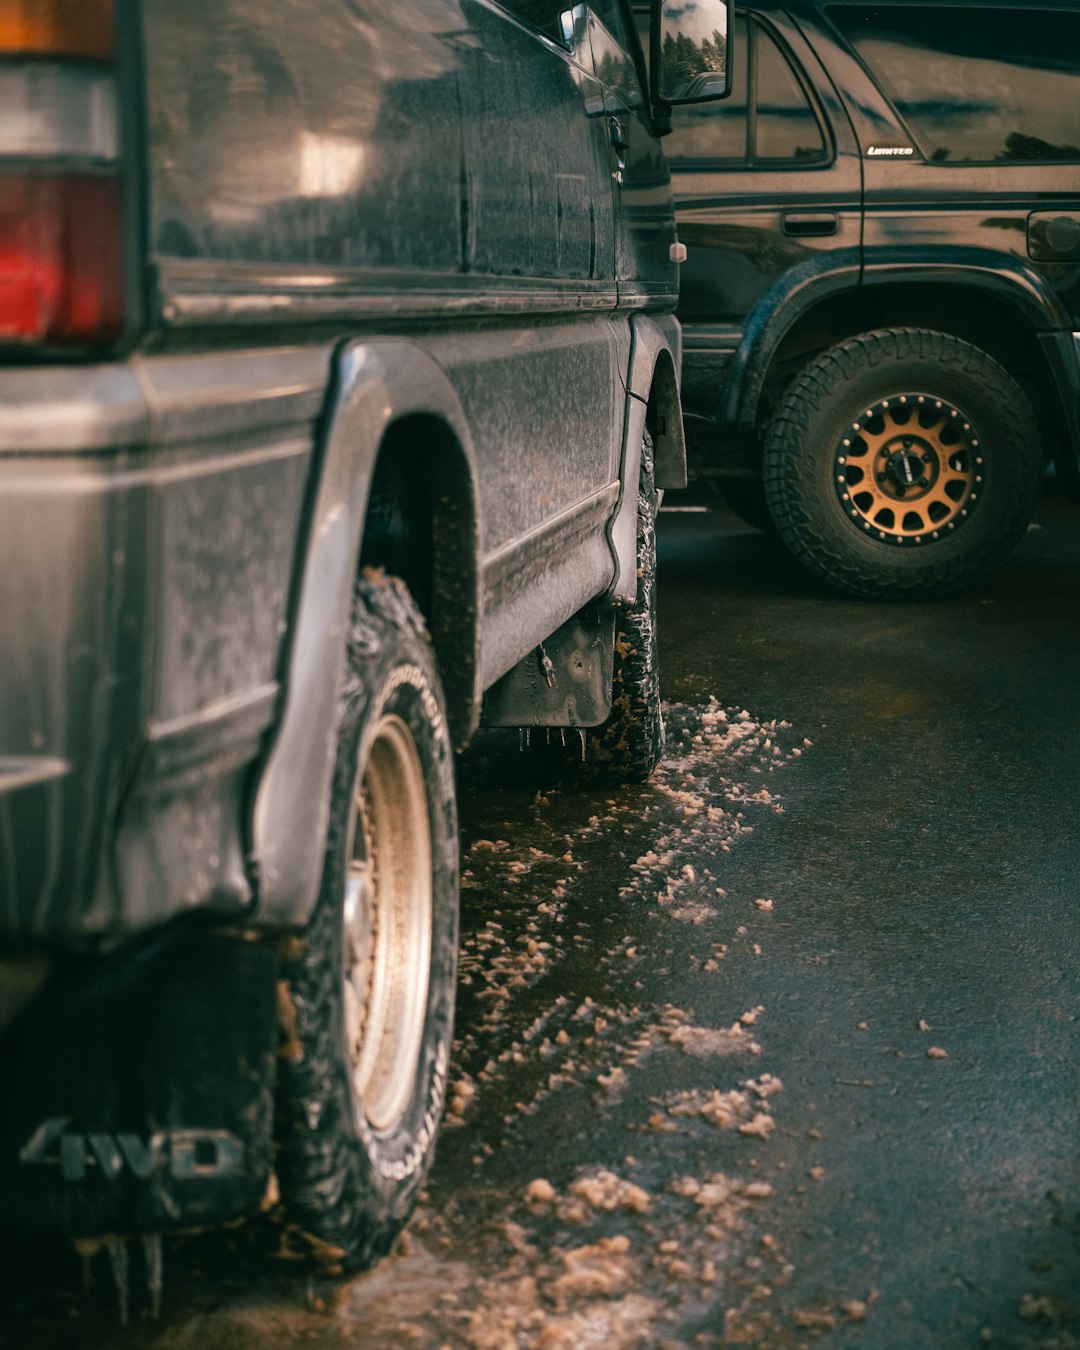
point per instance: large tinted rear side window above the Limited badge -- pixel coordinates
(975, 87)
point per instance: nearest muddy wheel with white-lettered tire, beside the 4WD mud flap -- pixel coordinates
(368, 993)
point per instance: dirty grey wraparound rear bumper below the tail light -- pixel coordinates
(149, 524)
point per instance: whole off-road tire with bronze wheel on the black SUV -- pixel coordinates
(871, 407)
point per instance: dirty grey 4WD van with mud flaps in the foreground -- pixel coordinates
(338, 376)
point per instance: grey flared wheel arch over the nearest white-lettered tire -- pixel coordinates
(388, 403)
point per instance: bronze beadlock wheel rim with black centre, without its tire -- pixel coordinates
(911, 469)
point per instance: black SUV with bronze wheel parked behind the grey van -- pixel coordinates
(882, 294)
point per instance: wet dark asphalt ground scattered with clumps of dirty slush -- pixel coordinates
(777, 1051)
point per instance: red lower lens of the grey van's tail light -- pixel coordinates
(61, 276)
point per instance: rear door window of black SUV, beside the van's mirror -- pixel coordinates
(767, 119)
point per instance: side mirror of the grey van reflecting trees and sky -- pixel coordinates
(689, 51)
